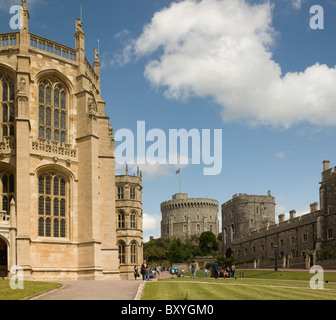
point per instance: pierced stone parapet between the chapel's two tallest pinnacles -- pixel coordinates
(52, 47)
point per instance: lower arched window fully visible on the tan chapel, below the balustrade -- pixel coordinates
(52, 208)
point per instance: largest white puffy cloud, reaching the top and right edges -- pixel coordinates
(222, 49)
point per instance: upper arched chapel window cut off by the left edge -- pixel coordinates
(7, 114)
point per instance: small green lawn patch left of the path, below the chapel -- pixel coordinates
(30, 288)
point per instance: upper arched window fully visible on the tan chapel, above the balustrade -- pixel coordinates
(52, 112)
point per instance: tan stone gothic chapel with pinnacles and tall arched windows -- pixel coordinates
(57, 166)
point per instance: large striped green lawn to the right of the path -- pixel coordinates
(257, 285)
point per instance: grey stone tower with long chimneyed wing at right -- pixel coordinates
(250, 232)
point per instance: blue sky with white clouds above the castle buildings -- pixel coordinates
(254, 69)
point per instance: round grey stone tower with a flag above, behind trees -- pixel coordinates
(183, 217)
